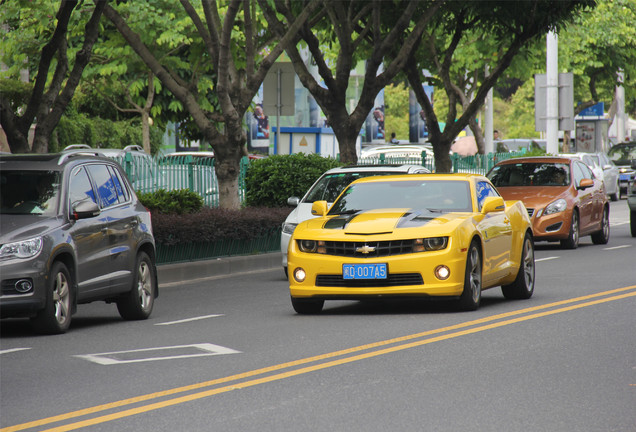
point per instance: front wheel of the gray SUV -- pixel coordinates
(55, 318)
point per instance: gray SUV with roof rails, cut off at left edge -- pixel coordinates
(72, 231)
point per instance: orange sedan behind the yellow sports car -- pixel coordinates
(564, 199)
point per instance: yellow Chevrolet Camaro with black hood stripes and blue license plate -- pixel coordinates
(429, 235)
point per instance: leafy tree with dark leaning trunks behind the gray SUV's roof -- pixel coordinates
(44, 48)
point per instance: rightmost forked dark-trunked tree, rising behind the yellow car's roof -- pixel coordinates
(490, 28)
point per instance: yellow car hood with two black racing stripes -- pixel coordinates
(385, 221)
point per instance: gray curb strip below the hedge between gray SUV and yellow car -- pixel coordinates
(187, 271)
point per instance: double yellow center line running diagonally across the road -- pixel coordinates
(310, 364)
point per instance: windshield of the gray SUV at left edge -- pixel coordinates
(29, 192)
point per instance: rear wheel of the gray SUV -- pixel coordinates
(138, 302)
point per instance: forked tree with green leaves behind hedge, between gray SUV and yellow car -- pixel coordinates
(225, 52)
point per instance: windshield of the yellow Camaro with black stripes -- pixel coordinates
(431, 195)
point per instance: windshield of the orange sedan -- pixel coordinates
(530, 174)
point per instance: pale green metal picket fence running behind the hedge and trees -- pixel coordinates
(174, 172)
